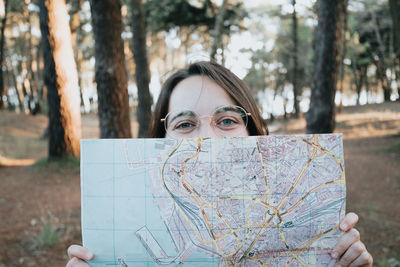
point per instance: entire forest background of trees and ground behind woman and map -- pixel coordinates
(90, 69)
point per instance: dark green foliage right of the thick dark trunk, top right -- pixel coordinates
(370, 42)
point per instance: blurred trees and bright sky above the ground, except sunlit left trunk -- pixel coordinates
(125, 50)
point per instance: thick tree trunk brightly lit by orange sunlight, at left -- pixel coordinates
(61, 80)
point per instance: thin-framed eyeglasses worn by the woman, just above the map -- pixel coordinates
(226, 121)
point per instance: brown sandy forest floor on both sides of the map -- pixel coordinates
(40, 201)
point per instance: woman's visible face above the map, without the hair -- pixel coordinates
(201, 96)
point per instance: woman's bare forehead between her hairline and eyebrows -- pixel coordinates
(200, 94)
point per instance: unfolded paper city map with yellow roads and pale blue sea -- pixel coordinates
(243, 201)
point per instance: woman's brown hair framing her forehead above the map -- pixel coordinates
(228, 81)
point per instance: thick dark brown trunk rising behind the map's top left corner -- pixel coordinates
(110, 69)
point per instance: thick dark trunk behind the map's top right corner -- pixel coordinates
(327, 47)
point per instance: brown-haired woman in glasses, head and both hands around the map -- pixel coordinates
(208, 100)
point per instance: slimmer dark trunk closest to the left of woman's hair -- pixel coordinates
(142, 72)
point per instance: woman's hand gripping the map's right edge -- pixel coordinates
(350, 251)
